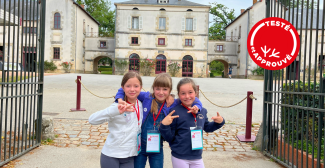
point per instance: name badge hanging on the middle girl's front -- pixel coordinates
(153, 141)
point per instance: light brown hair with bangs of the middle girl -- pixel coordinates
(161, 80)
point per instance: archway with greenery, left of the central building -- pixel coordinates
(102, 63)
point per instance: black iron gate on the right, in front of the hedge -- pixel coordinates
(293, 118)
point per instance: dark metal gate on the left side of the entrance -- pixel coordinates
(22, 24)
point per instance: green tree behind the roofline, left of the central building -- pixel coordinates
(101, 11)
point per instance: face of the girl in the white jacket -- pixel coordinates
(132, 88)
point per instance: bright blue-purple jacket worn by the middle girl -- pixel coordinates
(146, 99)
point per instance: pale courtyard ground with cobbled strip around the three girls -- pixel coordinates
(78, 144)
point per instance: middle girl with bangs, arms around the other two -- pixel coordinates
(154, 111)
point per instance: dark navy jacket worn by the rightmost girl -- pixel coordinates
(178, 134)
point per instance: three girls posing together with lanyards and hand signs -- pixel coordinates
(137, 124)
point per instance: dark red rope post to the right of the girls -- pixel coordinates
(248, 137)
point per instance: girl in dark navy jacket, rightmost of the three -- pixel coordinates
(183, 131)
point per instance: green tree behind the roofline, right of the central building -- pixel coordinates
(222, 16)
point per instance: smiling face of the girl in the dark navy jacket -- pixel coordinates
(186, 94)
